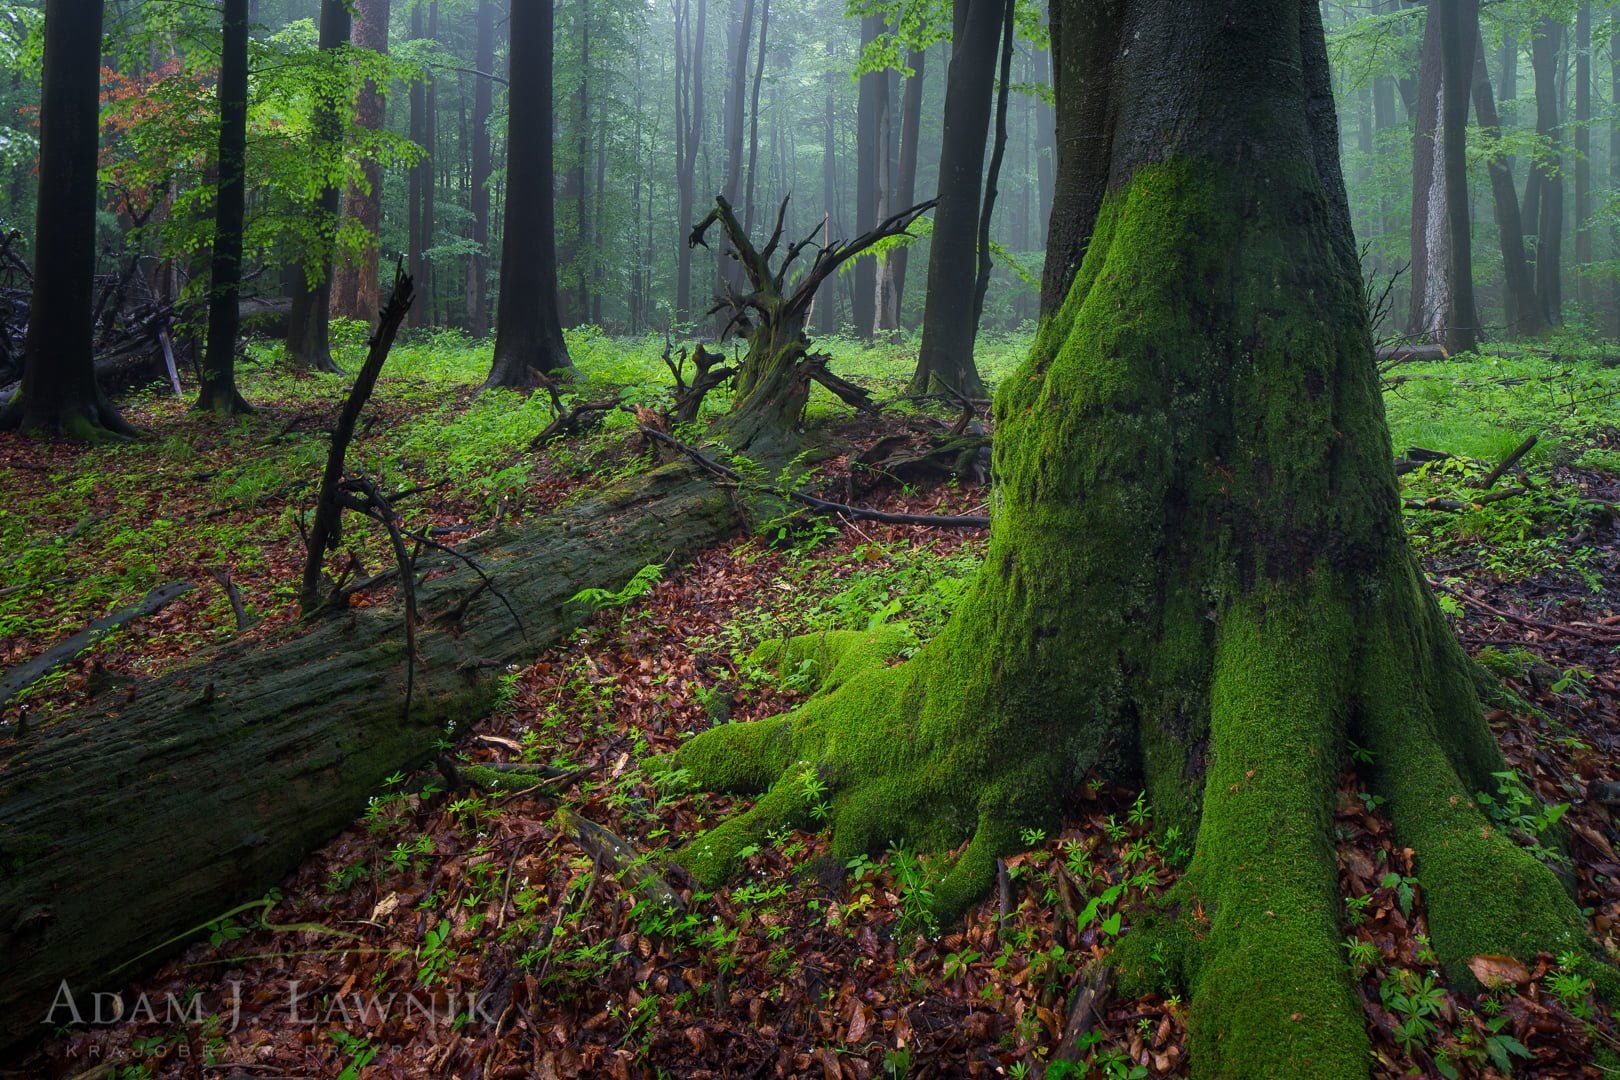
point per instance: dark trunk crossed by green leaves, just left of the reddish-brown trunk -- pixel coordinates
(309, 323)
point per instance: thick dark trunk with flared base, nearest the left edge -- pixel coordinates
(59, 380)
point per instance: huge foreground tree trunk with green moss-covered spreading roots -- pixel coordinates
(1196, 572)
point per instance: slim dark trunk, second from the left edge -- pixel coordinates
(224, 312)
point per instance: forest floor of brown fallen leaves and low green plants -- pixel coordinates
(467, 935)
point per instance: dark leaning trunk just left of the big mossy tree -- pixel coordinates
(947, 357)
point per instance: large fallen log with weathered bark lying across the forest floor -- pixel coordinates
(129, 827)
